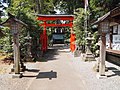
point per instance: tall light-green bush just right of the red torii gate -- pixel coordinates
(79, 26)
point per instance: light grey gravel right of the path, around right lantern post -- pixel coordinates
(85, 69)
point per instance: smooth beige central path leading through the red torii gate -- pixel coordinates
(57, 72)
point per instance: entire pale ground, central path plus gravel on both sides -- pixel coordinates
(62, 71)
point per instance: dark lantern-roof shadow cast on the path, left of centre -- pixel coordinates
(49, 75)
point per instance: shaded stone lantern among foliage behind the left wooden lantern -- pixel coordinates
(28, 46)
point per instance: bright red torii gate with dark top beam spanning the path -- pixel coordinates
(44, 37)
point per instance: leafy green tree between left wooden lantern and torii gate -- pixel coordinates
(22, 9)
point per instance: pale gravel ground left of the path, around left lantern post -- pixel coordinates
(8, 83)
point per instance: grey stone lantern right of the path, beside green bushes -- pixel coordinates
(89, 56)
